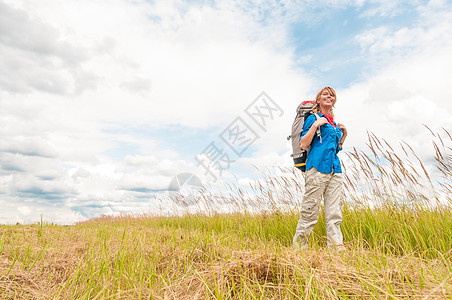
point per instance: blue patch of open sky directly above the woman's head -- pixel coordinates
(338, 58)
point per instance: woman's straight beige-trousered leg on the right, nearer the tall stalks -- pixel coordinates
(333, 215)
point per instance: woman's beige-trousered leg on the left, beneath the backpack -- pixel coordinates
(309, 208)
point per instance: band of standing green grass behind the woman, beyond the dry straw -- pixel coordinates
(397, 230)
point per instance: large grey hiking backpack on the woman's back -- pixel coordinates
(304, 110)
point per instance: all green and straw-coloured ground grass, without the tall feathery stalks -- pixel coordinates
(390, 253)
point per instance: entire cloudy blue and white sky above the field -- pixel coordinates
(106, 105)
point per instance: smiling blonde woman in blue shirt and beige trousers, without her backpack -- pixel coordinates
(323, 175)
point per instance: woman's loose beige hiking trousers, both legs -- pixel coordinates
(330, 187)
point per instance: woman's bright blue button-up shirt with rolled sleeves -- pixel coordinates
(323, 154)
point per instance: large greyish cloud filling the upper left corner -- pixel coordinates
(34, 58)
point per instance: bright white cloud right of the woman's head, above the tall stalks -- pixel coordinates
(409, 89)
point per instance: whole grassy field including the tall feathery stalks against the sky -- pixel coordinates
(397, 230)
